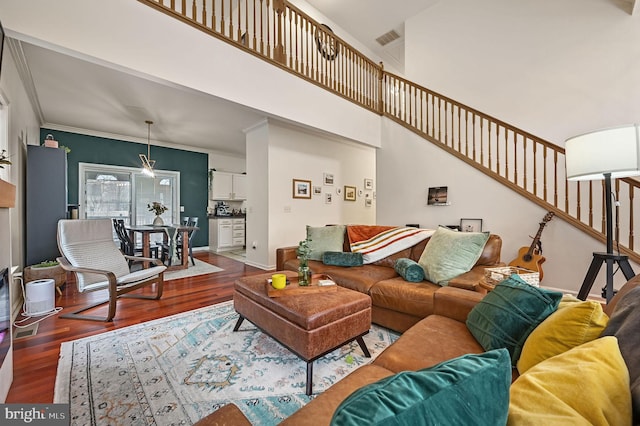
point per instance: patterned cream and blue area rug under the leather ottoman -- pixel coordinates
(178, 369)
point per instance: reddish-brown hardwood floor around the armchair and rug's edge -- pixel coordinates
(35, 358)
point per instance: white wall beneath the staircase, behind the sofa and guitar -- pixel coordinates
(411, 165)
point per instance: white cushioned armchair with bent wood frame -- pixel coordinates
(88, 250)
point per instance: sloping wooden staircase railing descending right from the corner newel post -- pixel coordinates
(529, 165)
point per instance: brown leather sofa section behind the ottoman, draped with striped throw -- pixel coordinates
(396, 304)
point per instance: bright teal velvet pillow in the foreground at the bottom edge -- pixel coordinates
(469, 390)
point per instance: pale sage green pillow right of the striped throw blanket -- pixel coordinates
(450, 253)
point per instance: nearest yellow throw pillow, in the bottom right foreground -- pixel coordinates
(587, 385)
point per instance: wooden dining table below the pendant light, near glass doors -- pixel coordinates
(170, 236)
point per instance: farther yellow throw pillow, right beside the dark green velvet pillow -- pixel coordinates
(568, 327)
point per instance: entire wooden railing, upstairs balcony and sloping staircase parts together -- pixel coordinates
(533, 167)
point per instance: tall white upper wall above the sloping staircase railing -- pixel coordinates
(555, 68)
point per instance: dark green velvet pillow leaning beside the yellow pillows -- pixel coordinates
(506, 316)
